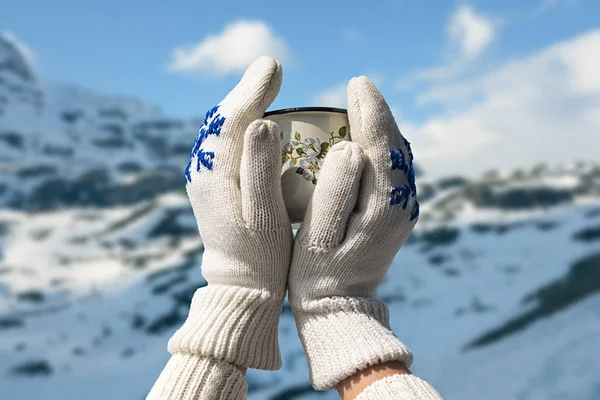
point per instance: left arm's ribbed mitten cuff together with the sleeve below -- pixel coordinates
(218, 341)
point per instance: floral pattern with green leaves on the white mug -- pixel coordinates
(308, 154)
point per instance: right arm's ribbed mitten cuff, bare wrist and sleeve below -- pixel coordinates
(351, 347)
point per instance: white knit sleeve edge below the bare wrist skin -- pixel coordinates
(405, 386)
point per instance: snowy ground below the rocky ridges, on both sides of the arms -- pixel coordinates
(82, 316)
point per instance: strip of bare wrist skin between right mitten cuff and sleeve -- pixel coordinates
(355, 384)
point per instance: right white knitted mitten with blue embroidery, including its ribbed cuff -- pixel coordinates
(347, 241)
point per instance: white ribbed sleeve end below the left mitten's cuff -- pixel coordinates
(189, 377)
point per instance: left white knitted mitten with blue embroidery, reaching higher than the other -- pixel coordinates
(234, 186)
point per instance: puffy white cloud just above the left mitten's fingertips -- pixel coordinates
(231, 50)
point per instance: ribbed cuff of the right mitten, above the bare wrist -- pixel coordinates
(342, 335)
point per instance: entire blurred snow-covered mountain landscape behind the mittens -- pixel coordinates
(497, 292)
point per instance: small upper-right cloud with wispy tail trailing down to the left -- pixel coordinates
(469, 34)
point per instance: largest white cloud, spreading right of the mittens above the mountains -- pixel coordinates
(543, 108)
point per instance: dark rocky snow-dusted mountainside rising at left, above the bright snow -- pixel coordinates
(59, 143)
